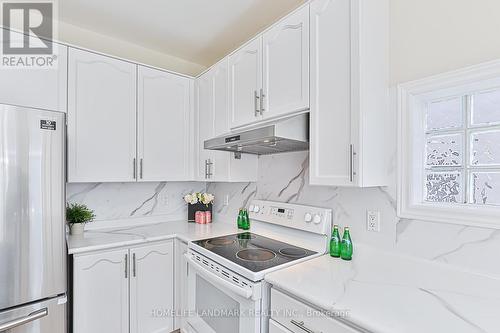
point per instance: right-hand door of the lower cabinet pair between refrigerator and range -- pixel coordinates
(152, 288)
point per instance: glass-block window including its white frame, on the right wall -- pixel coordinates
(449, 147)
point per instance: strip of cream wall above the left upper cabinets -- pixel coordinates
(91, 40)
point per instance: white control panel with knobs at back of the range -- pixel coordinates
(309, 218)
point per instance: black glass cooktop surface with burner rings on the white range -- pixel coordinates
(253, 251)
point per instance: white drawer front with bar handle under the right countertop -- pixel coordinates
(283, 306)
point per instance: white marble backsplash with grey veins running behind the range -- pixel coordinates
(284, 178)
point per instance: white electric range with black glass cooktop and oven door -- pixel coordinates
(226, 287)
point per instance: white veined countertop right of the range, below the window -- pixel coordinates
(389, 293)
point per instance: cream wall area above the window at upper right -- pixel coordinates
(433, 36)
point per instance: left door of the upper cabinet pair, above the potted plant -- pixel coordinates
(101, 118)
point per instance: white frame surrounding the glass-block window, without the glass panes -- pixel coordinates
(412, 100)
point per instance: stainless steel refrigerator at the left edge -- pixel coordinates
(32, 226)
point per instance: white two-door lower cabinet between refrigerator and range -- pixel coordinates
(125, 290)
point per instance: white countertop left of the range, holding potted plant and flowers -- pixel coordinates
(100, 239)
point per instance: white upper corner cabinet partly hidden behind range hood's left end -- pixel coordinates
(212, 95)
